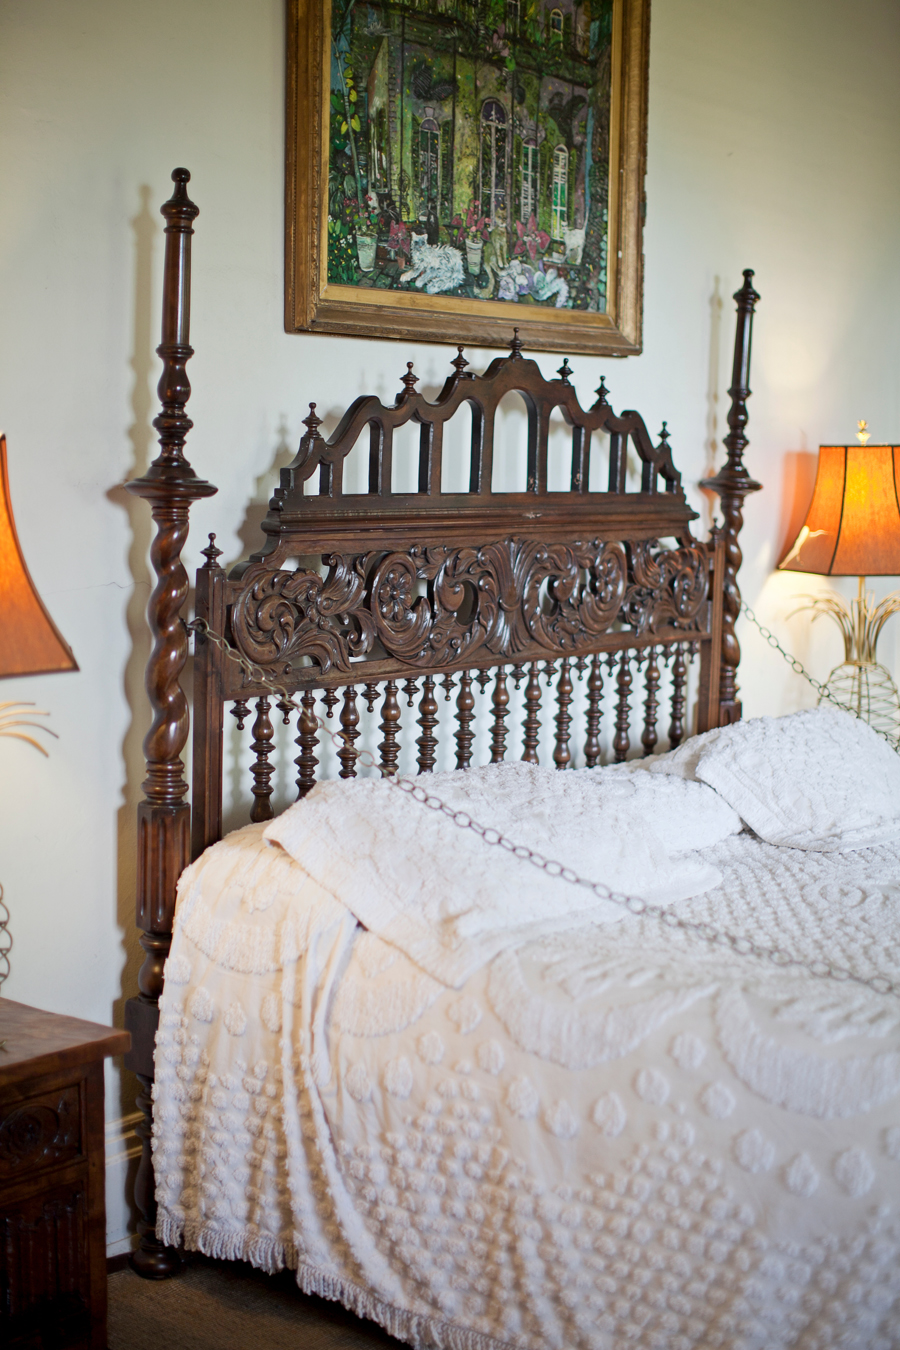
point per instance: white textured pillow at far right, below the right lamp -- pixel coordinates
(820, 780)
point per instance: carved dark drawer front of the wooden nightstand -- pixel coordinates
(40, 1132)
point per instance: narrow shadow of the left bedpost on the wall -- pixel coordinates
(141, 434)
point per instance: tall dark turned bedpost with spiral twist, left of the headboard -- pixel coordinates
(164, 817)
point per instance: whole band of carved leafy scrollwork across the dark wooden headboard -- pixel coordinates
(438, 607)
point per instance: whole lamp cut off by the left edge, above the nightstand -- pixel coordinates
(30, 645)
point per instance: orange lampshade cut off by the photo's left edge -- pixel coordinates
(30, 642)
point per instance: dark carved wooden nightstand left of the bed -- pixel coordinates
(53, 1208)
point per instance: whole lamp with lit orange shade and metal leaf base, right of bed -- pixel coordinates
(853, 530)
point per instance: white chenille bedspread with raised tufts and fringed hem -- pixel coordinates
(611, 1137)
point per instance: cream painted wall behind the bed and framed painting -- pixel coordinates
(774, 144)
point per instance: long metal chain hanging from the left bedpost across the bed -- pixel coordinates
(493, 838)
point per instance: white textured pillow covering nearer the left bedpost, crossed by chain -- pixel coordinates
(451, 902)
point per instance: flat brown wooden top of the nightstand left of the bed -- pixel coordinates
(41, 1043)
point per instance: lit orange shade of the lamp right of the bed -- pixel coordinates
(853, 523)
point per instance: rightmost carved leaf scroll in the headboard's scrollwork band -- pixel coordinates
(667, 588)
